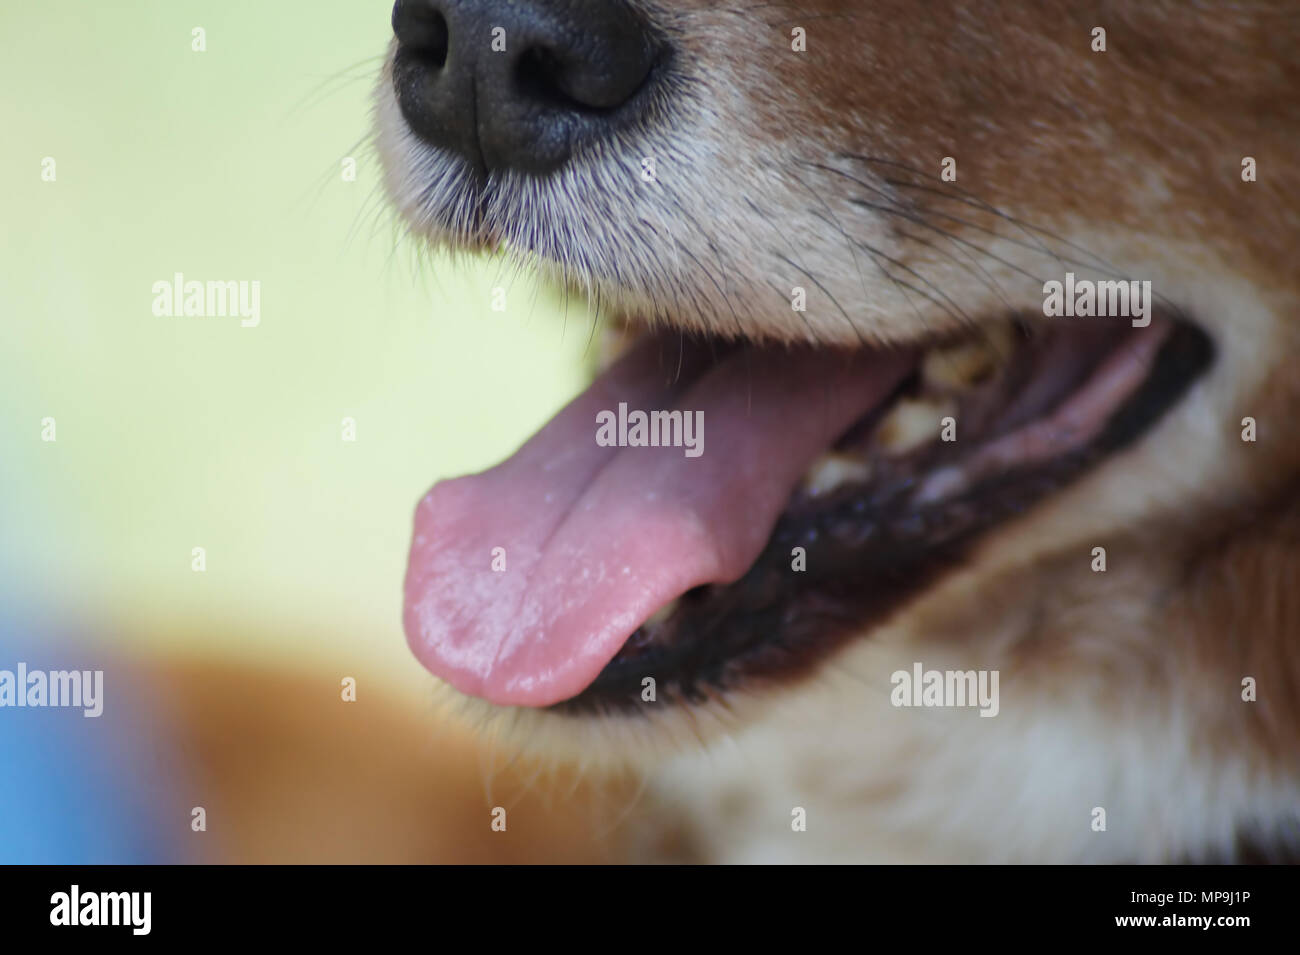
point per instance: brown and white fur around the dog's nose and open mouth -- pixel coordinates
(1121, 691)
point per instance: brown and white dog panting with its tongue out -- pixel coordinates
(989, 312)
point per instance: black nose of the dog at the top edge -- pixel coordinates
(519, 84)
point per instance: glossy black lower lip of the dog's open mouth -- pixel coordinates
(872, 559)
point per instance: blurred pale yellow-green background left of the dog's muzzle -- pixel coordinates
(175, 433)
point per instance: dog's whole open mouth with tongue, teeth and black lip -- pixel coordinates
(824, 490)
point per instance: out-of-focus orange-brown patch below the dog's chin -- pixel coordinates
(289, 775)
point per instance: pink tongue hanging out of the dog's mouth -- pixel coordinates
(595, 539)
